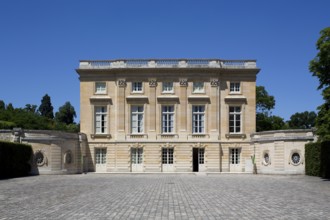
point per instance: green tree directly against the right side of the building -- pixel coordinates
(264, 118)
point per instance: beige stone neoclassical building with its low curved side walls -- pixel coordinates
(167, 115)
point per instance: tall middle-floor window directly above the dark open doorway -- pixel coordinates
(198, 119)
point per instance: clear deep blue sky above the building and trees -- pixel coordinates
(41, 42)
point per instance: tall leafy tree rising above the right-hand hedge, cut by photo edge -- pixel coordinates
(320, 67)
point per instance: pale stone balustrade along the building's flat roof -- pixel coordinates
(168, 63)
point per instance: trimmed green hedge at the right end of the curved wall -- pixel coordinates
(317, 156)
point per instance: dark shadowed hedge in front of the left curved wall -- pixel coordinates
(15, 159)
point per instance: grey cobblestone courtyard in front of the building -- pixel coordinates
(165, 196)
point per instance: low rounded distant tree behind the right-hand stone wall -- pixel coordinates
(302, 120)
